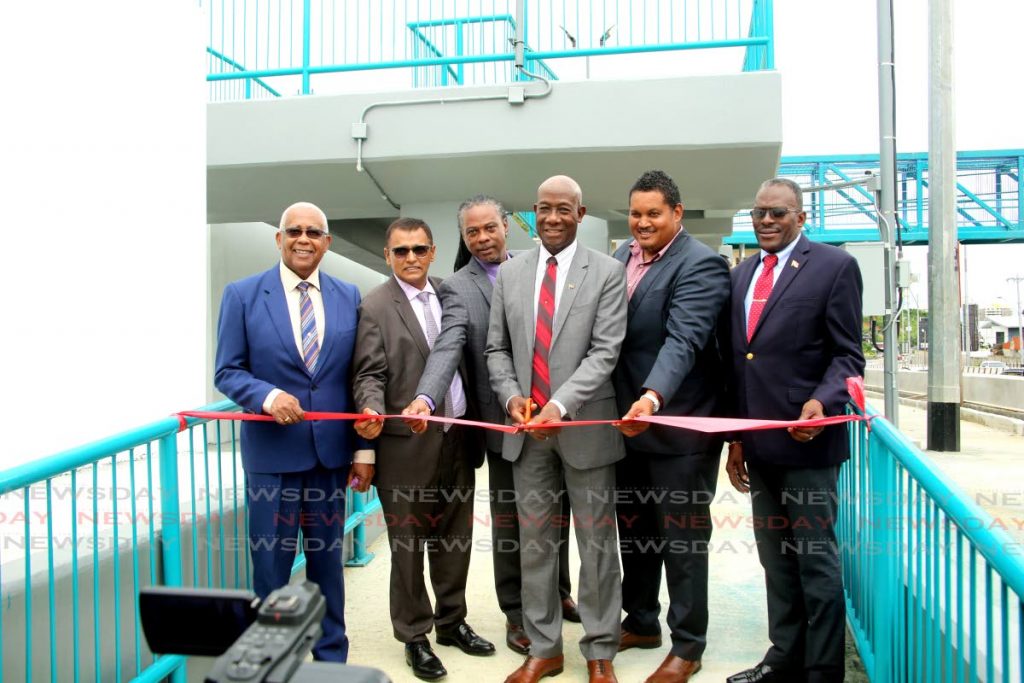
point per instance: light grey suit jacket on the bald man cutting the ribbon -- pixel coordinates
(587, 336)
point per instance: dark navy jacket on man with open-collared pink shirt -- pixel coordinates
(671, 345)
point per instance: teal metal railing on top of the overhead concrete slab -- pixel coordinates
(350, 45)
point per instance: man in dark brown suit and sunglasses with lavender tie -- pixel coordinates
(425, 484)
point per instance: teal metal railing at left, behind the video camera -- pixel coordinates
(86, 529)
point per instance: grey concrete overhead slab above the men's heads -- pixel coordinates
(265, 156)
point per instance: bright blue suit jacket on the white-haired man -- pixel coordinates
(257, 353)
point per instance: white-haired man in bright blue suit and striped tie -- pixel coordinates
(285, 343)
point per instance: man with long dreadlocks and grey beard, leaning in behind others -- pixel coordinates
(466, 304)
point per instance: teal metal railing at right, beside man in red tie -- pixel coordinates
(934, 585)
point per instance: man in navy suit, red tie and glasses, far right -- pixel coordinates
(796, 331)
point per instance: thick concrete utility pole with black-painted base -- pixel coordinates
(944, 289)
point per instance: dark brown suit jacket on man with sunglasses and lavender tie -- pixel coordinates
(391, 355)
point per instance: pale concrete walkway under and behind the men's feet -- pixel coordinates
(991, 469)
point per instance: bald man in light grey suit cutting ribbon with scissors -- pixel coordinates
(558, 323)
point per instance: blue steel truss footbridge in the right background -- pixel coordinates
(989, 199)
